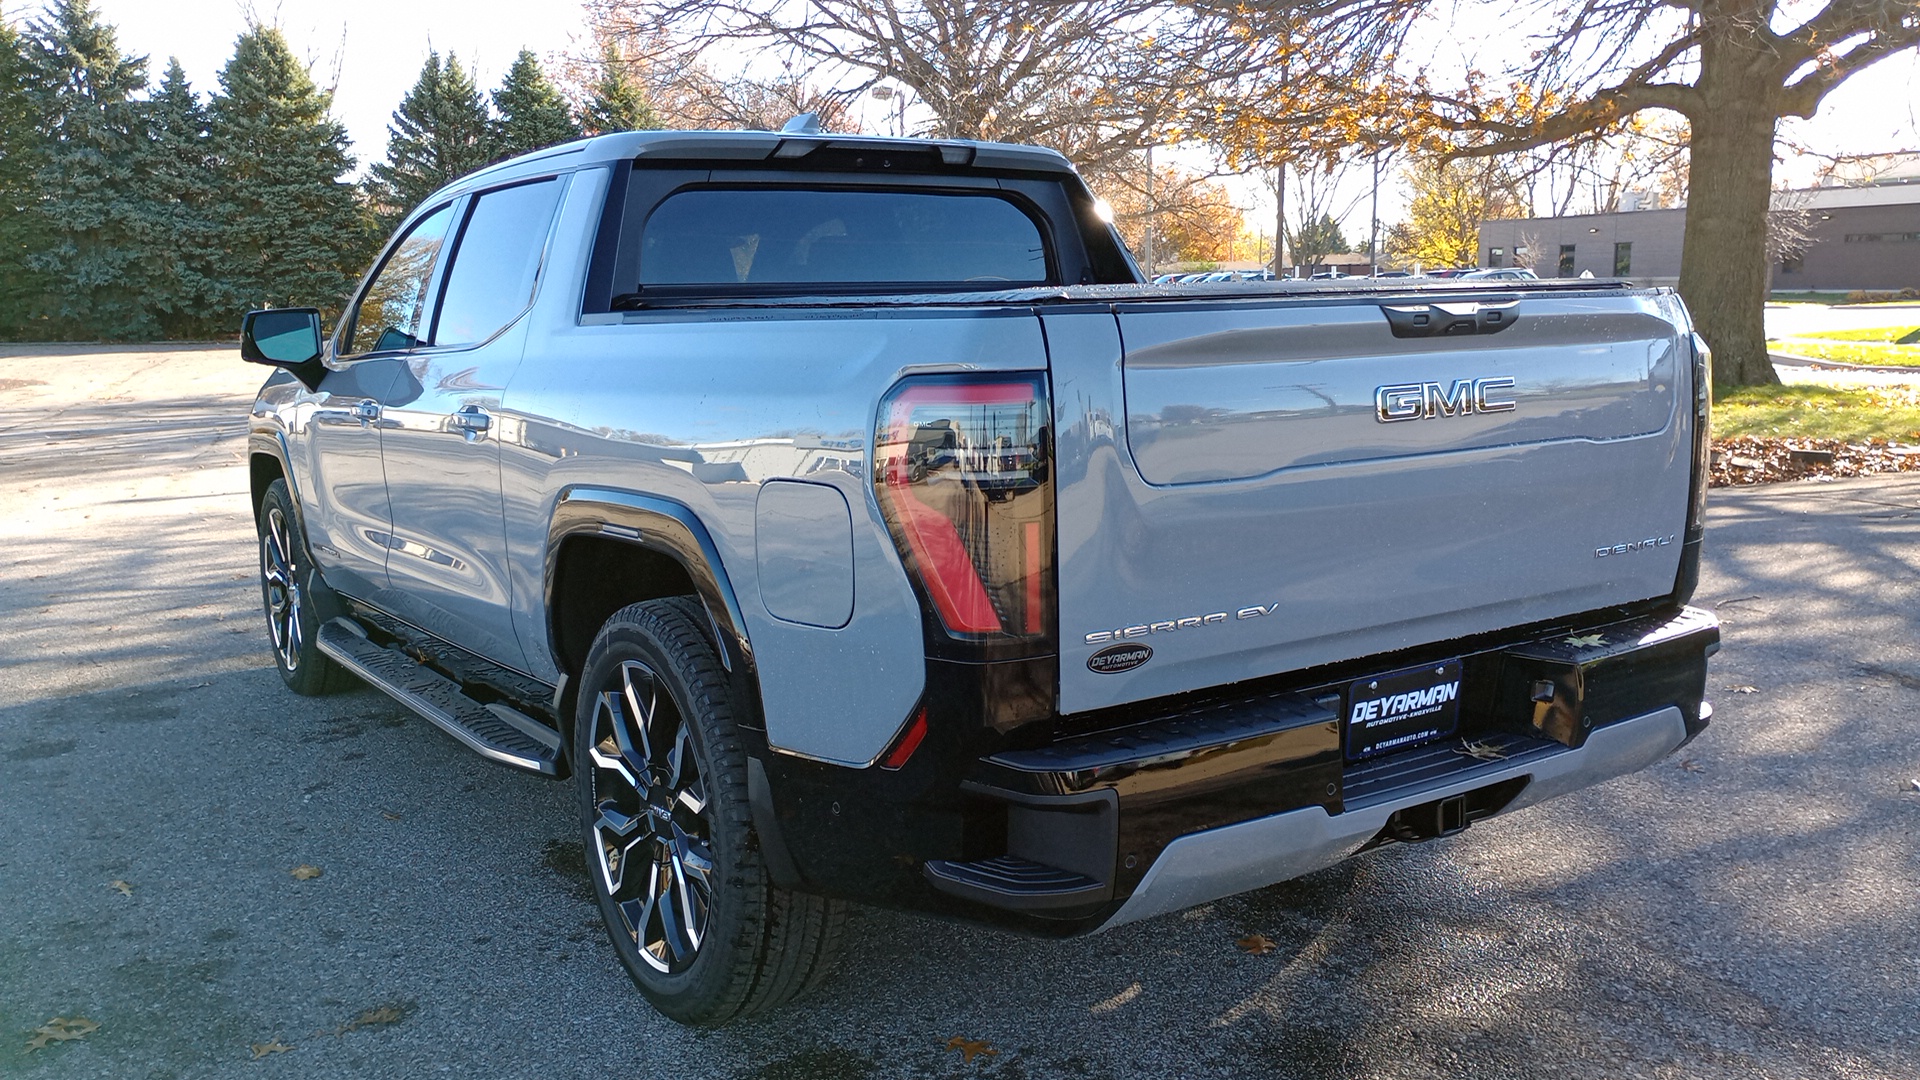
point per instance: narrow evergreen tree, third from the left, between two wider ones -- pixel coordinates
(176, 185)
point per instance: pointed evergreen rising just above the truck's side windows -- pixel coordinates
(441, 134)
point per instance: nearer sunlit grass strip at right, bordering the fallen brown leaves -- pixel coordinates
(1819, 412)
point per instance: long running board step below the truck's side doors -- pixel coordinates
(494, 731)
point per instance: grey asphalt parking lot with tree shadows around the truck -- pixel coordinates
(1750, 908)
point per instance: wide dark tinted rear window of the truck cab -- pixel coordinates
(792, 237)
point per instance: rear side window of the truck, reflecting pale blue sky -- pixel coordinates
(496, 262)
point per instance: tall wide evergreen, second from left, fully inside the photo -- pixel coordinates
(87, 255)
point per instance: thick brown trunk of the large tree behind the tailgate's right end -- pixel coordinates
(1723, 264)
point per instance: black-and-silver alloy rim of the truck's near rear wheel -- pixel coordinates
(652, 827)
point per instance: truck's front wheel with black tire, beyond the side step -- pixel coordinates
(297, 599)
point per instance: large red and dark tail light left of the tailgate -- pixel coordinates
(963, 468)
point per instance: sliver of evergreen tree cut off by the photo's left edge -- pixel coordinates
(20, 218)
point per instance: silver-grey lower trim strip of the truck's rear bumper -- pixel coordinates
(1255, 854)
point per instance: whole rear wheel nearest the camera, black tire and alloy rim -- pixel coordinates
(700, 927)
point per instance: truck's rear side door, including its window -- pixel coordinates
(446, 549)
